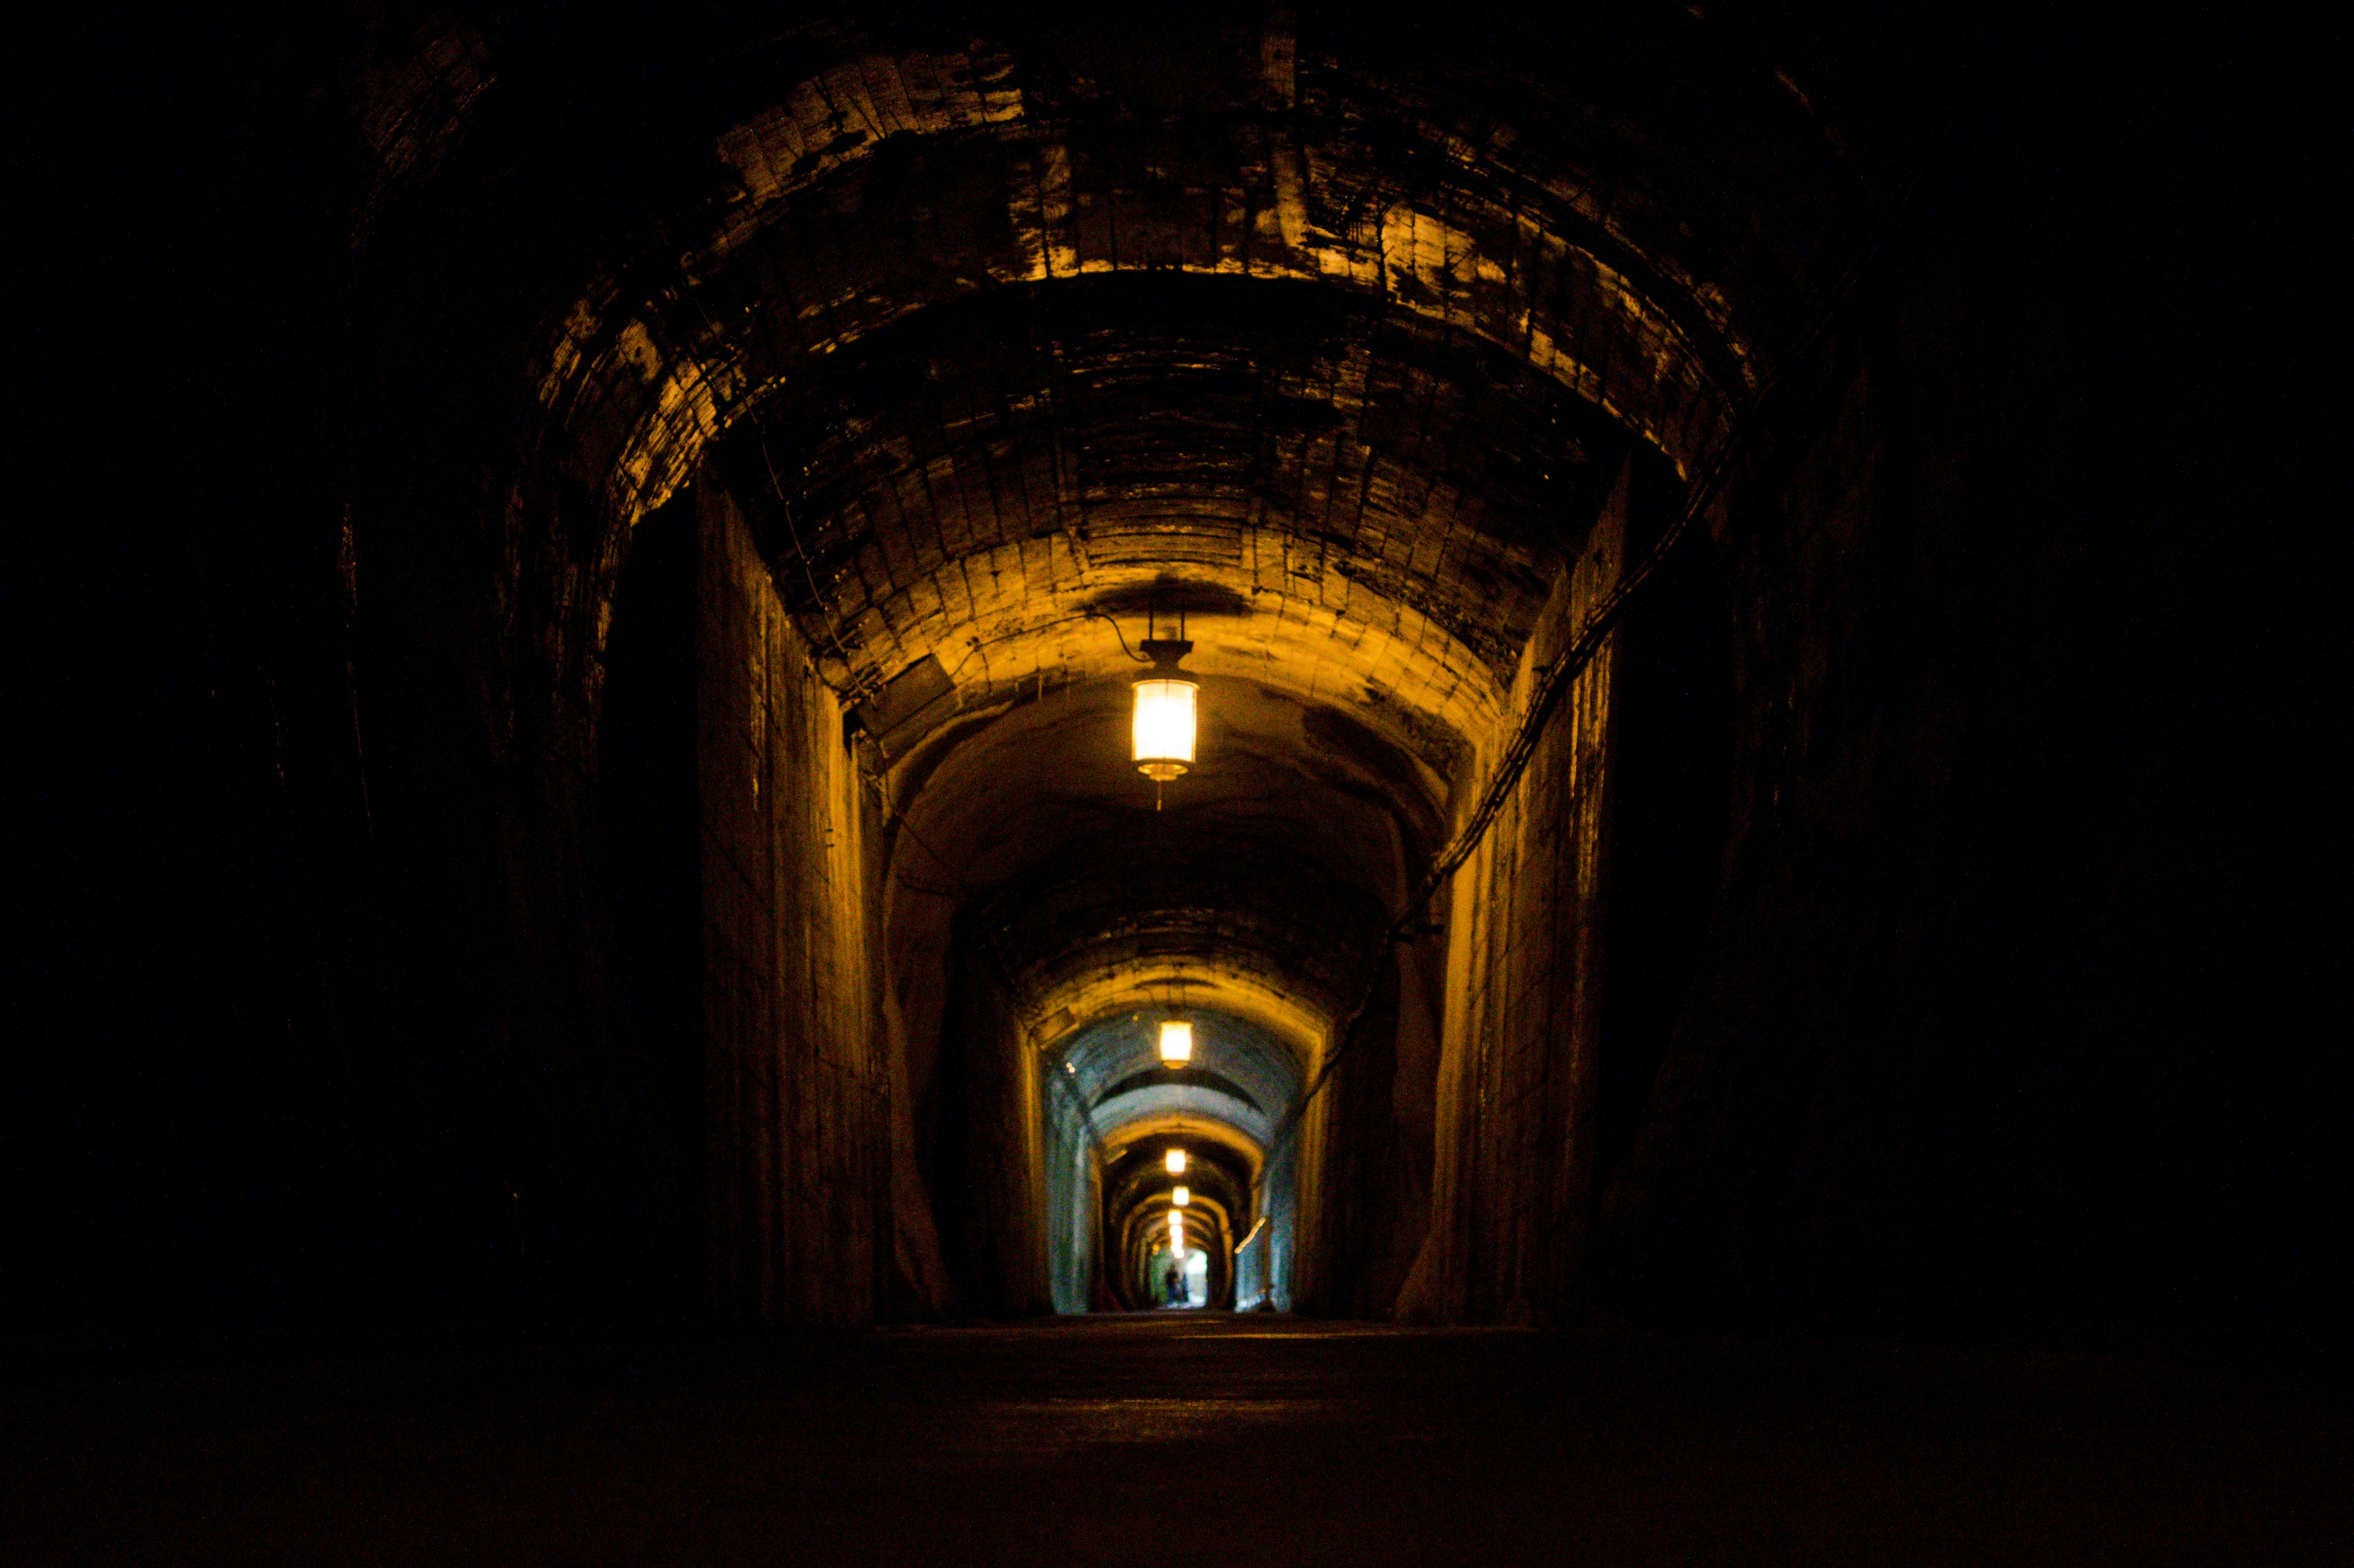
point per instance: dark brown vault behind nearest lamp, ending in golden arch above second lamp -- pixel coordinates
(1261, 889)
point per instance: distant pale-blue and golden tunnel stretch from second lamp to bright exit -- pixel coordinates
(1169, 1183)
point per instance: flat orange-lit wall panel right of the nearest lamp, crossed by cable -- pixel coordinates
(1524, 995)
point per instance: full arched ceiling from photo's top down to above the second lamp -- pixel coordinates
(1329, 335)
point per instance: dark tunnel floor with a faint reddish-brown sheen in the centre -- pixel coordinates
(1162, 1440)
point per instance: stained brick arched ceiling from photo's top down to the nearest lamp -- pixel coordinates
(1334, 321)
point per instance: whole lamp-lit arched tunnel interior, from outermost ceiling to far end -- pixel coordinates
(926, 441)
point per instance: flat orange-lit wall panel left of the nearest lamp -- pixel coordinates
(799, 1105)
